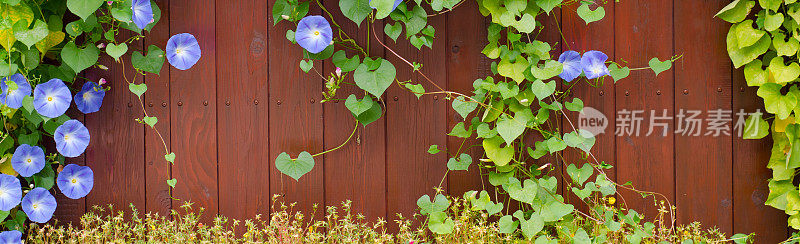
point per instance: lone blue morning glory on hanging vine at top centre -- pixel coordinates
(314, 33)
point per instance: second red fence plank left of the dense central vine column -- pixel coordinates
(415, 124)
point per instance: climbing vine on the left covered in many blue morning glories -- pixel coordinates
(47, 46)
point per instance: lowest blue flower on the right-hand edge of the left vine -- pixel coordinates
(75, 181)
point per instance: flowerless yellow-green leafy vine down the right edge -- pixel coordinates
(765, 45)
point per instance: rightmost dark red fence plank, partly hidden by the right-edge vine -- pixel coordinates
(751, 175)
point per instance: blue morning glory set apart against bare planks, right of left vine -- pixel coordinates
(183, 51)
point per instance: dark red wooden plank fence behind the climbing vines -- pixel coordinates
(246, 101)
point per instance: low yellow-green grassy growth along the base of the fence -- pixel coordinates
(339, 225)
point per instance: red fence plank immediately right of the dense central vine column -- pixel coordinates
(643, 30)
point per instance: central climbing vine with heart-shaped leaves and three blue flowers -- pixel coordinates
(519, 98)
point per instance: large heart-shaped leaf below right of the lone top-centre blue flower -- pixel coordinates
(375, 81)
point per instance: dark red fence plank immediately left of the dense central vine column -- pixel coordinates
(466, 37)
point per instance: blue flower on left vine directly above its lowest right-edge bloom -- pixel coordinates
(71, 138)
